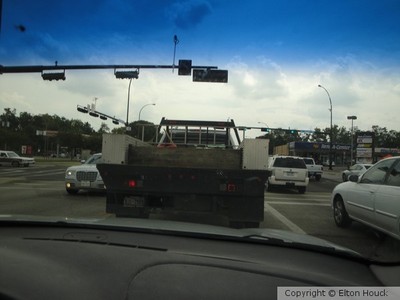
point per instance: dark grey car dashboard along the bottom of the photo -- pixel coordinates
(64, 262)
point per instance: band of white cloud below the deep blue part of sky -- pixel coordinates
(269, 92)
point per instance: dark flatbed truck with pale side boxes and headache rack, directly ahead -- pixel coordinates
(194, 166)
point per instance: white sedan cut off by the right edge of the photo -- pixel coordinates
(372, 198)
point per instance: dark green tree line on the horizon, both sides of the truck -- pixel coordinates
(72, 135)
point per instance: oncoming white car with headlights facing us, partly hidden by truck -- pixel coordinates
(85, 176)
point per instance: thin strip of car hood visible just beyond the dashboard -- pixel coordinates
(258, 235)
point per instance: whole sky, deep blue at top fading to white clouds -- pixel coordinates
(276, 53)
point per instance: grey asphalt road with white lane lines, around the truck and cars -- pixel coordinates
(40, 190)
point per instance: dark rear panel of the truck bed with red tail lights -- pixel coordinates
(142, 180)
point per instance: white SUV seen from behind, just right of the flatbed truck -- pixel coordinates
(288, 171)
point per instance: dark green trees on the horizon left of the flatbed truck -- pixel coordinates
(62, 135)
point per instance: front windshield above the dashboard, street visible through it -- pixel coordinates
(299, 78)
